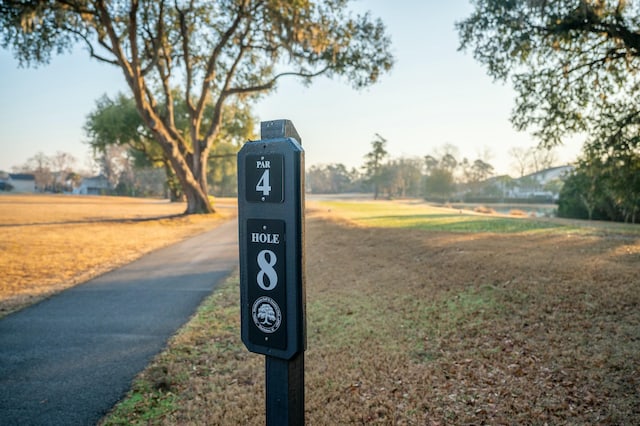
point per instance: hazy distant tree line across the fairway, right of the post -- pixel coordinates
(439, 176)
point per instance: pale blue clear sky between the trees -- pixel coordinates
(434, 95)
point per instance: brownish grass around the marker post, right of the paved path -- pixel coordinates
(416, 324)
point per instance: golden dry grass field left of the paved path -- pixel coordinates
(49, 242)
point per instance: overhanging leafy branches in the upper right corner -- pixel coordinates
(574, 64)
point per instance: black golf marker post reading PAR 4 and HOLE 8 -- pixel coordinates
(272, 288)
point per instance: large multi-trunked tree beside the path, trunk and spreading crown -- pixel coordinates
(210, 50)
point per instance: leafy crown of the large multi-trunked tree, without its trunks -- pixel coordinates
(205, 41)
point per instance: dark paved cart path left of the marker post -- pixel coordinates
(69, 359)
